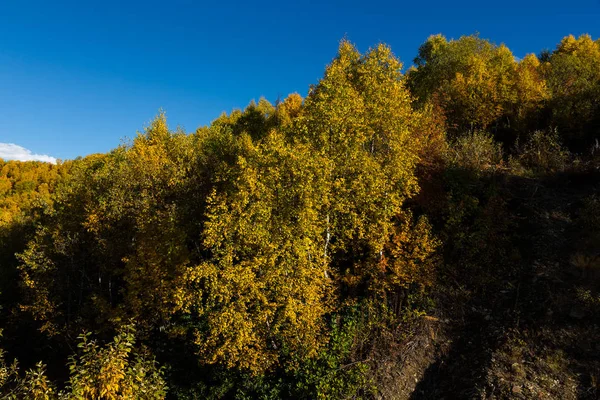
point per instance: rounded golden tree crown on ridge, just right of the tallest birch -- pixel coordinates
(470, 78)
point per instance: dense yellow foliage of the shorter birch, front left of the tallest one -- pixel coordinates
(266, 285)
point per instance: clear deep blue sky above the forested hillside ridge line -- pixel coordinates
(76, 77)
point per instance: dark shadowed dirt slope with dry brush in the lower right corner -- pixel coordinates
(538, 335)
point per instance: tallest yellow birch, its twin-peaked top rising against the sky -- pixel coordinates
(359, 120)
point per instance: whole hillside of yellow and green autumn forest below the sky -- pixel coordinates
(399, 233)
